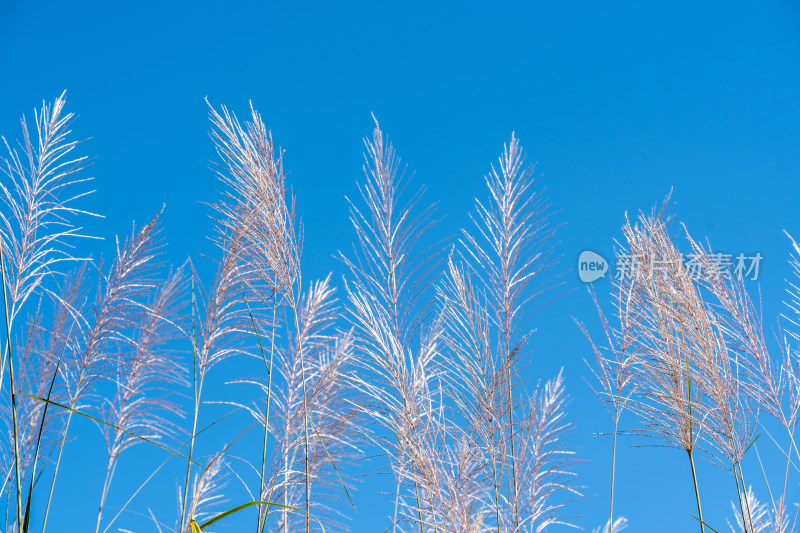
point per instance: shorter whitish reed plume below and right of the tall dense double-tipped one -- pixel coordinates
(327, 358)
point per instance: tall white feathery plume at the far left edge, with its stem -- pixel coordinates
(36, 226)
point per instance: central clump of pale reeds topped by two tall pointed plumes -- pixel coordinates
(441, 355)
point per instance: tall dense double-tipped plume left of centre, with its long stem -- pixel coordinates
(257, 211)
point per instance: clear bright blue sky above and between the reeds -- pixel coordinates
(617, 102)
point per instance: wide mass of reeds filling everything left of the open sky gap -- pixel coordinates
(426, 359)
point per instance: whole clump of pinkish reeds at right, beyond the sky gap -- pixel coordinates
(689, 358)
